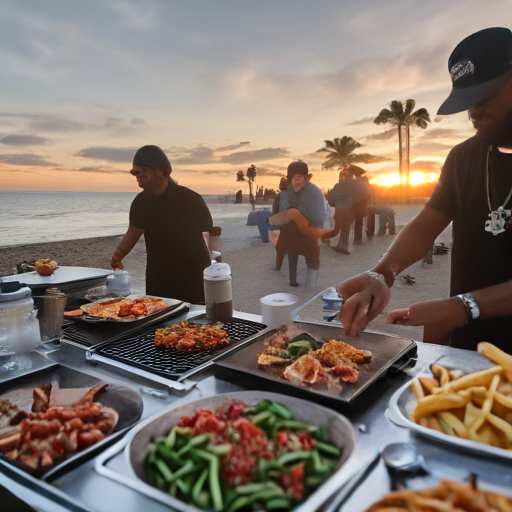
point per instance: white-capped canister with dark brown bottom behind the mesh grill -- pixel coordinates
(218, 293)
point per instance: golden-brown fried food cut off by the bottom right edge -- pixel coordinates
(447, 496)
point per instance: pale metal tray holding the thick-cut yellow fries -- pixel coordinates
(398, 414)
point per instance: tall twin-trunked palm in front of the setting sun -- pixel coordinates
(402, 116)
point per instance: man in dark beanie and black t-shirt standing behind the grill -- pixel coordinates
(172, 219)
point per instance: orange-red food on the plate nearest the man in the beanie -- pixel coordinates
(120, 309)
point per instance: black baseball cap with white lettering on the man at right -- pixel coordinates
(479, 66)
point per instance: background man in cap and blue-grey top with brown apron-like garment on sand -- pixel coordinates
(309, 200)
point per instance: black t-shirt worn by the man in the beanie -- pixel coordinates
(177, 254)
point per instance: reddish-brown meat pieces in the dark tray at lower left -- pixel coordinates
(48, 434)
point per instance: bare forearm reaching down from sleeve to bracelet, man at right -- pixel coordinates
(412, 243)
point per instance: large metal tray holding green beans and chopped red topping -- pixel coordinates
(340, 430)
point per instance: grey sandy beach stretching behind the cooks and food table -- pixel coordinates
(252, 263)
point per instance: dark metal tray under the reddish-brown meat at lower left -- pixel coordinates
(126, 401)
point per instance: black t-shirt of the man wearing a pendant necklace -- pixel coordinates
(479, 258)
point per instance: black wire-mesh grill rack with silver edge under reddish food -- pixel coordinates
(136, 352)
